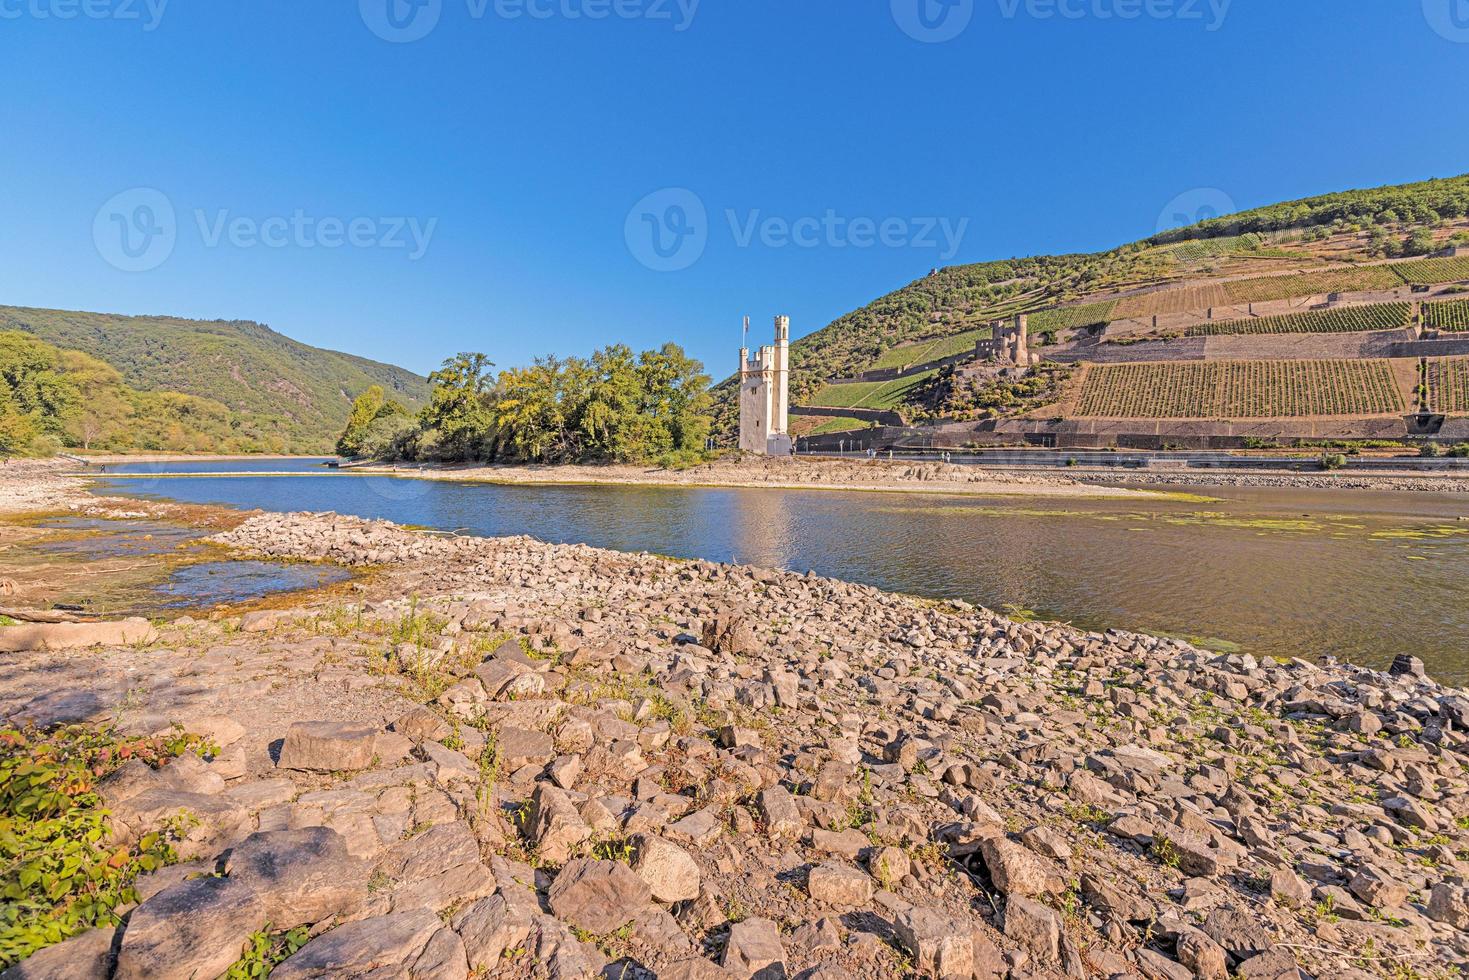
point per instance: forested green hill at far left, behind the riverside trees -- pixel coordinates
(284, 396)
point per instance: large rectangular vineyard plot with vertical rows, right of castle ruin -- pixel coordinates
(1241, 390)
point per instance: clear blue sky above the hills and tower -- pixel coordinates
(496, 184)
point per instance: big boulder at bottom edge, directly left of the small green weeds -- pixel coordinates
(193, 929)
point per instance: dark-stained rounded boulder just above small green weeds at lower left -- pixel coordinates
(300, 876)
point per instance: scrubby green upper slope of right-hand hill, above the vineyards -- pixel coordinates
(1327, 234)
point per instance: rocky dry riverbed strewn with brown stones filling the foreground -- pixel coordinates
(527, 760)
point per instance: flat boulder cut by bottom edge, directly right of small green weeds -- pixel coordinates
(381, 947)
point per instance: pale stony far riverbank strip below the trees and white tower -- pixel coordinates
(778, 474)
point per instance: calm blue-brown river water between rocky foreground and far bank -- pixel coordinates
(1358, 575)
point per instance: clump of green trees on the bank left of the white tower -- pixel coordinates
(612, 408)
